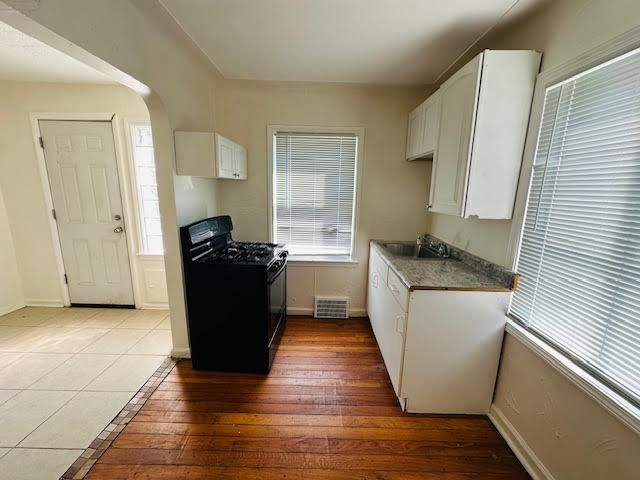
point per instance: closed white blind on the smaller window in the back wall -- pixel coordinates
(314, 192)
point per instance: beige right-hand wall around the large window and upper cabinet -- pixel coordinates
(571, 434)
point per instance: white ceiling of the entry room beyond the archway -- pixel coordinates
(25, 59)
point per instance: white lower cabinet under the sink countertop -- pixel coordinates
(442, 352)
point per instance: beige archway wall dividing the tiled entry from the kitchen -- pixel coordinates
(139, 44)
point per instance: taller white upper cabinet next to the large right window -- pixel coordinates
(483, 116)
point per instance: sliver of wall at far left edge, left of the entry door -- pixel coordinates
(11, 296)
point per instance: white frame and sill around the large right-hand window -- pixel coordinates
(608, 398)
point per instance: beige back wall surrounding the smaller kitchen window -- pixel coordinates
(393, 192)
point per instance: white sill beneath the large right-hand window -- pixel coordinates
(610, 400)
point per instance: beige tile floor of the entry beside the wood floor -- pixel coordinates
(64, 374)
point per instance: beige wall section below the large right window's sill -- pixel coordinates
(571, 434)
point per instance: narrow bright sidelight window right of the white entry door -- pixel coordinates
(147, 190)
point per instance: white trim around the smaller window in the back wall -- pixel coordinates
(359, 133)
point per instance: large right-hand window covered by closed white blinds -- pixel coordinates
(579, 256)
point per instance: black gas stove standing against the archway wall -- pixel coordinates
(236, 297)
